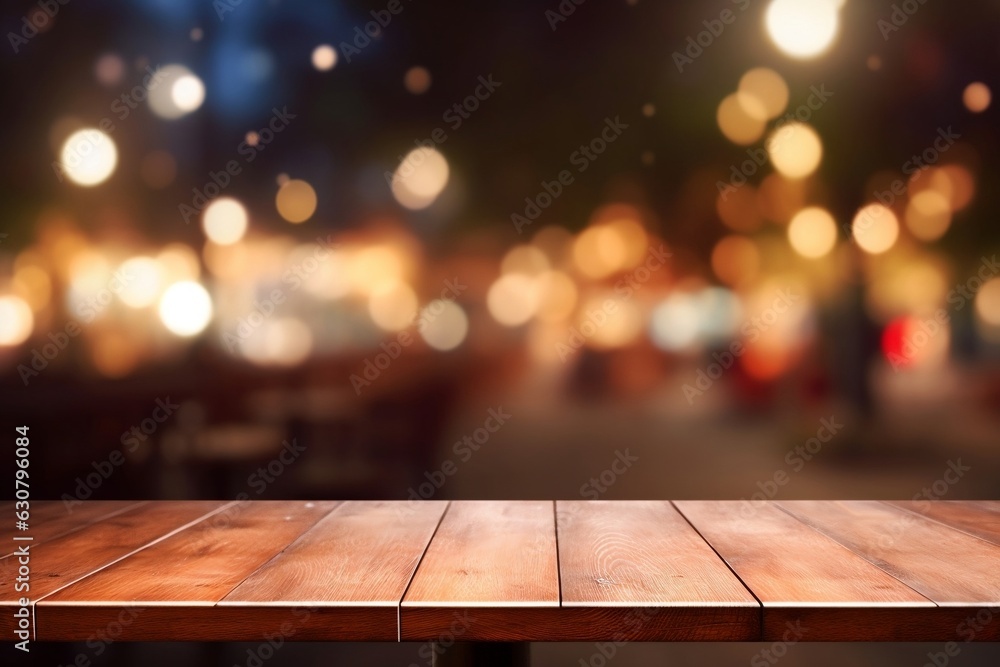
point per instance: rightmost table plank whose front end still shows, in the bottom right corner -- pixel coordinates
(953, 569)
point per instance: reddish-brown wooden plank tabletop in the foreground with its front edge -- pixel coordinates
(509, 571)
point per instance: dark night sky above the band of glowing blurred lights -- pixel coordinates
(606, 60)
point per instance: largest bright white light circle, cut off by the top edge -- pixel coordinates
(802, 28)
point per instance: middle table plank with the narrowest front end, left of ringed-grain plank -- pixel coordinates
(489, 565)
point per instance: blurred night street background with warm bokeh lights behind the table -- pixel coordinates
(274, 249)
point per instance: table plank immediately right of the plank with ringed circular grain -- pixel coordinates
(807, 581)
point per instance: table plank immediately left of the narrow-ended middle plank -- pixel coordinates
(351, 570)
